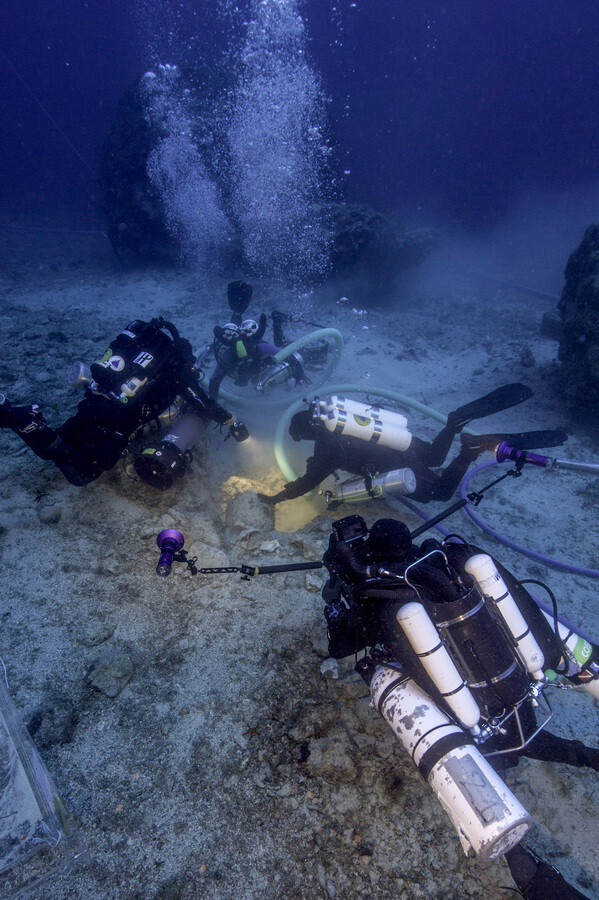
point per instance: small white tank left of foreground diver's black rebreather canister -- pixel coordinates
(426, 642)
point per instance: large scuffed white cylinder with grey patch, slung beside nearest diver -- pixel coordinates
(486, 815)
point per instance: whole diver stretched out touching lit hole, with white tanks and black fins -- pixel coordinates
(367, 441)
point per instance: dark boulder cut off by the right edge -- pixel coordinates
(579, 345)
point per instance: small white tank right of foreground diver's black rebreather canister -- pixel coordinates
(490, 584)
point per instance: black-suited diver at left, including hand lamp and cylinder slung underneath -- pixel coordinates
(147, 370)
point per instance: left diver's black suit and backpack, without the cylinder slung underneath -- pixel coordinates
(138, 377)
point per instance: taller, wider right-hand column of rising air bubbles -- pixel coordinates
(278, 149)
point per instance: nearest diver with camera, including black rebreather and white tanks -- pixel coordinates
(458, 657)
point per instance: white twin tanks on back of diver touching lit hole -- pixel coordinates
(361, 420)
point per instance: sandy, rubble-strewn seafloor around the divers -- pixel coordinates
(190, 782)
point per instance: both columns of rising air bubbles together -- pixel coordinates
(266, 193)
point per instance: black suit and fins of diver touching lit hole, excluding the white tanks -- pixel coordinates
(334, 451)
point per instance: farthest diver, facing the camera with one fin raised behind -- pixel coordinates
(242, 353)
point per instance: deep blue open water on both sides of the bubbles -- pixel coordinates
(460, 102)
